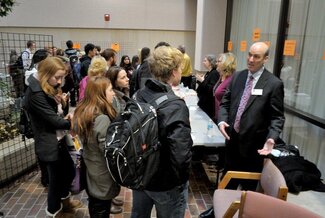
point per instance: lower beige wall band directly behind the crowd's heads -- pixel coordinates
(131, 41)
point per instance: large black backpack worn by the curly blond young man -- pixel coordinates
(132, 148)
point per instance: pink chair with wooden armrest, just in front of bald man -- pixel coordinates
(271, 182)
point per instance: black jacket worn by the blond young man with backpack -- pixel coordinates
(175, 137)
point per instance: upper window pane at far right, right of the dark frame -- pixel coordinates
(303, 72)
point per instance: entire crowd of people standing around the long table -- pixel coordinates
(246, 105)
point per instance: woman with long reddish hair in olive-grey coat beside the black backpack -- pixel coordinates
(91, 119)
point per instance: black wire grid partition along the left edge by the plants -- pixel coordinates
(17, 155)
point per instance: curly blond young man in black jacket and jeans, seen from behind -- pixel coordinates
(168, 188)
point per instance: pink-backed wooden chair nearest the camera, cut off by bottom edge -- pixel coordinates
(256, 205)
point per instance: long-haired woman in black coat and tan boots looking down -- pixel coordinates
(42, 98)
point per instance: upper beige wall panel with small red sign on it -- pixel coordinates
(124, 14)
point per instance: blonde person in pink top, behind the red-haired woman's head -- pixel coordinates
(98, 67)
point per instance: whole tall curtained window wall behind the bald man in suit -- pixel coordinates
(302, 64)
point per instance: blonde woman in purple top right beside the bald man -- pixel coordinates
(226, 66)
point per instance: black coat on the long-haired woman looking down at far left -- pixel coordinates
(45, 120)
